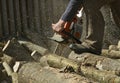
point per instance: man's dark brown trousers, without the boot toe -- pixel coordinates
(95, 21)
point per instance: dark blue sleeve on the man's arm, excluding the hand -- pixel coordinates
(71, 10)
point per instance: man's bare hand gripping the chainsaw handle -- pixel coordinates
(59, 26)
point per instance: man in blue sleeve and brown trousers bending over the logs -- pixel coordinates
(95, 23)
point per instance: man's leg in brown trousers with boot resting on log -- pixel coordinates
(95, 28)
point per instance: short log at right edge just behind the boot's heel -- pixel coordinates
(111, 53)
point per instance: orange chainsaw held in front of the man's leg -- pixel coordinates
(68, 34)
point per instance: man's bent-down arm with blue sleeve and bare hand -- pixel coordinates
(68, 15)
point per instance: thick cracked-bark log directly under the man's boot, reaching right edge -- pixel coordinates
(100, 62)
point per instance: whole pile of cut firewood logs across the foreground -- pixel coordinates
(26, 62)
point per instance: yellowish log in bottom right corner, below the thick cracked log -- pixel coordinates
(101, 76)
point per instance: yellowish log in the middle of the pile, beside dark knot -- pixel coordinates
(60, 62)
